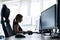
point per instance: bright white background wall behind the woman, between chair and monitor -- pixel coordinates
(30, 9)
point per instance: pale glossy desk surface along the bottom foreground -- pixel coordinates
(31, 37)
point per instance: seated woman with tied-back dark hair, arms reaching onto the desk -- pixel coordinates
(16, 28)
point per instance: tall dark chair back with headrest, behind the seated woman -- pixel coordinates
(5, 12)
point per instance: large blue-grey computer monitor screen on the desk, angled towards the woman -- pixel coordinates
(48, 18)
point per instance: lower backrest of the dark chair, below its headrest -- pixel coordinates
(7, 29)
